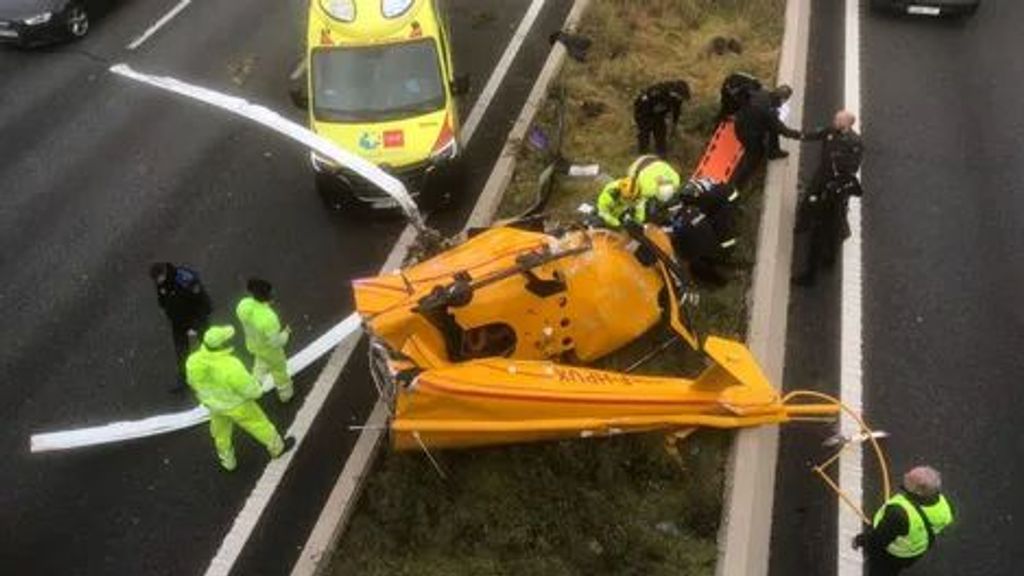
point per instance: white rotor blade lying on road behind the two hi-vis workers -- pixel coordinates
(133, 430)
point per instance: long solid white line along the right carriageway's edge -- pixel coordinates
(851, 478)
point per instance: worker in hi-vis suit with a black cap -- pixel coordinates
(265, 338)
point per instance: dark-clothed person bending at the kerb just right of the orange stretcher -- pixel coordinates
(758, 128)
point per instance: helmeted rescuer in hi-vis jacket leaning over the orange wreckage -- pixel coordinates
(649, 181)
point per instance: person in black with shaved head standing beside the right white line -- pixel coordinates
(824, 211)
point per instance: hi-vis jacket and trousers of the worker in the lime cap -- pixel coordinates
(229, 392)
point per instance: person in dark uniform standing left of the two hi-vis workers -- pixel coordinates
(187, 305)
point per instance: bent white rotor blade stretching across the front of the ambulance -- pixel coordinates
(282, 126)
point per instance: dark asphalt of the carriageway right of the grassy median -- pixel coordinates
(944, 245)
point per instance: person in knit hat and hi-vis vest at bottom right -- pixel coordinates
(907, 526)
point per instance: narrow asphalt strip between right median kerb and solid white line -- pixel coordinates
(804, 513)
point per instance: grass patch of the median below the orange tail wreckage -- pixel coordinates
(621, 506)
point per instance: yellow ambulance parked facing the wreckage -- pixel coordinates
(380, 84)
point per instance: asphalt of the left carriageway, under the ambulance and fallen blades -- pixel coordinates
(101, 177)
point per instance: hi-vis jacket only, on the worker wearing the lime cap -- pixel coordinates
(220, 380)
